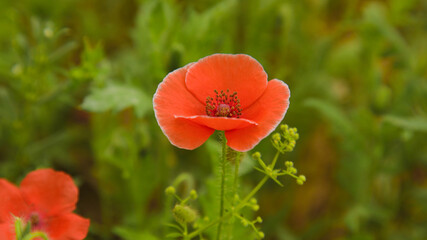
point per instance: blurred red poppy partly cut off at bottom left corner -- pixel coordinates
(47, 199)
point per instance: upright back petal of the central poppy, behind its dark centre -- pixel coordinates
(238, 73)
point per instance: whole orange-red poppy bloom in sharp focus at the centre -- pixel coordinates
(220, 92)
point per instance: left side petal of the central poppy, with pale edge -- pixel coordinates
(172, 98)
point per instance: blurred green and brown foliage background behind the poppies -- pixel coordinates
(77, 79)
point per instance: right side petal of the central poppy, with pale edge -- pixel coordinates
(267, 111)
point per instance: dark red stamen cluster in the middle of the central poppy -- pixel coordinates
(224, 105)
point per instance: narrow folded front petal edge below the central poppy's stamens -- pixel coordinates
(220, 123)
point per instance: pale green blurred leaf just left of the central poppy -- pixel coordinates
(116, 98)
